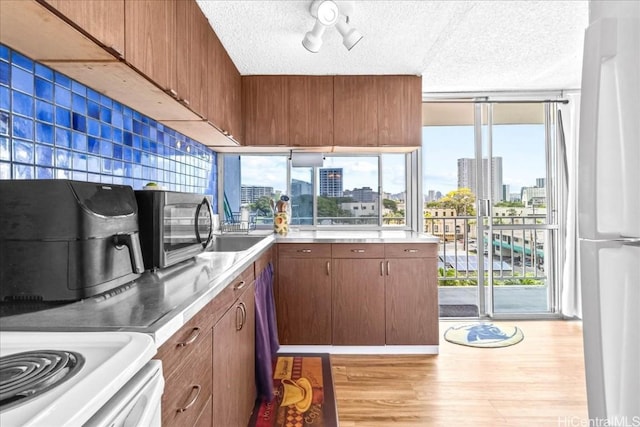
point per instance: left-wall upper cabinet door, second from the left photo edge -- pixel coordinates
(150, 36)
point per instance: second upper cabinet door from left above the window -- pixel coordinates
(310, 110)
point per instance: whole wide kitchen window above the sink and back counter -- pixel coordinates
(348, 190)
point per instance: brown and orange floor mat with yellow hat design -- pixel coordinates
(303, 389)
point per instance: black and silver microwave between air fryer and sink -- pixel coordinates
(173, 226)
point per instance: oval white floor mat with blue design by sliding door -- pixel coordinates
(485, 335)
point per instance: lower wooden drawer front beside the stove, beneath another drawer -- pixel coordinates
(188, 389)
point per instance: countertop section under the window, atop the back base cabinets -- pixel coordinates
(356, 236)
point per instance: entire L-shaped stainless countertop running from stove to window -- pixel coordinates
(160, 303)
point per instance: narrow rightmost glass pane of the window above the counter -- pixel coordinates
(394, 189)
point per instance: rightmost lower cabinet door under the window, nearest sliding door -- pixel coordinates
(411, 301)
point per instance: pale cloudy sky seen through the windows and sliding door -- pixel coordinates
(520, 146)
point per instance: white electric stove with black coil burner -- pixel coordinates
(71, 376)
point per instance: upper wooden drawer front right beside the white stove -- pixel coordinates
(183, 343)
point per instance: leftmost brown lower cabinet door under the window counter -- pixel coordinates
(304, 300)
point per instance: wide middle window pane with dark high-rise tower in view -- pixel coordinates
(348, 191)
